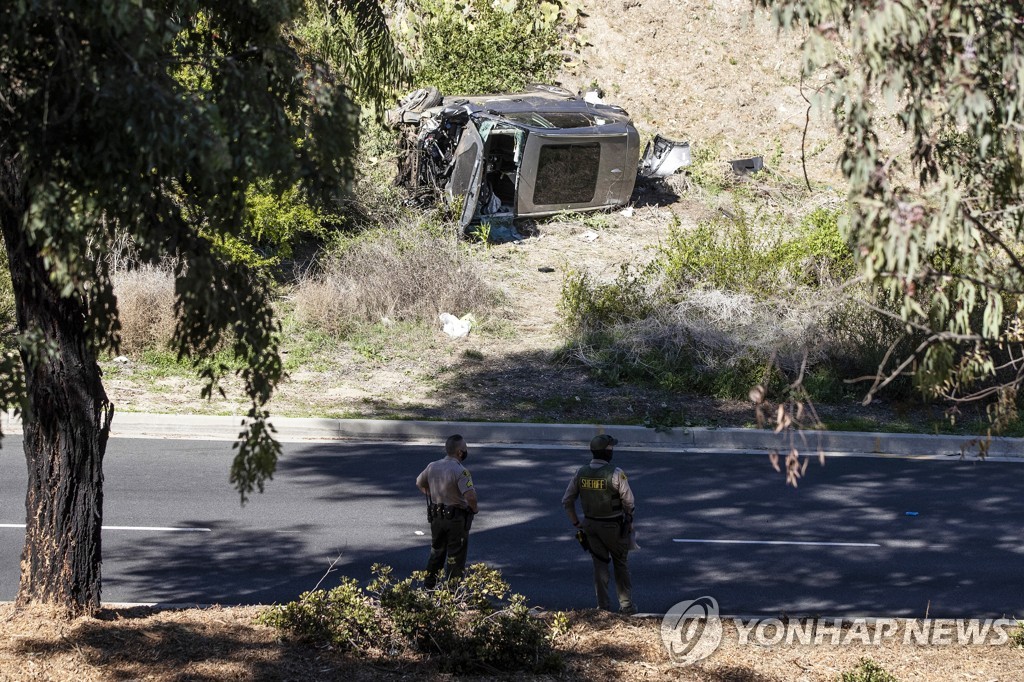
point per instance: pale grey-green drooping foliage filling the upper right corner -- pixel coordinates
(938, 217)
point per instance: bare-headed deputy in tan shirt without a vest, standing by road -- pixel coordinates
(451, 507)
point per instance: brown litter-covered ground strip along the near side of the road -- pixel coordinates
(227, 645)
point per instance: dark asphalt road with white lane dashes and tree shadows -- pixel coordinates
(842, 544)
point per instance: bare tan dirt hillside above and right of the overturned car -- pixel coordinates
(712, 73)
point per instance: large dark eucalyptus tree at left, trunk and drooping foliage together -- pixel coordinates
(150, 118)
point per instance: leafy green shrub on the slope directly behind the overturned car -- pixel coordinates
(480, 47)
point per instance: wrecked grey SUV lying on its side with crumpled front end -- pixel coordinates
(524, 155)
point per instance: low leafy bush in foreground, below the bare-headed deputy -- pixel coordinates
(473, 625)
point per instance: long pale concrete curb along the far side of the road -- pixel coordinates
(686, 440)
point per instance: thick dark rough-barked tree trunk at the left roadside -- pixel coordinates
(67, 421)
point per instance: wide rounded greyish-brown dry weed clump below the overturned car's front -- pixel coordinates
(411, 275)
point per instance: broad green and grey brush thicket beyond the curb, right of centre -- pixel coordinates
(736, 303)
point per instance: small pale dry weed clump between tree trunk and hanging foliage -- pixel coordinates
(146, 305)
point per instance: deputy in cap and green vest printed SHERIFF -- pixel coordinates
(608, 506)
